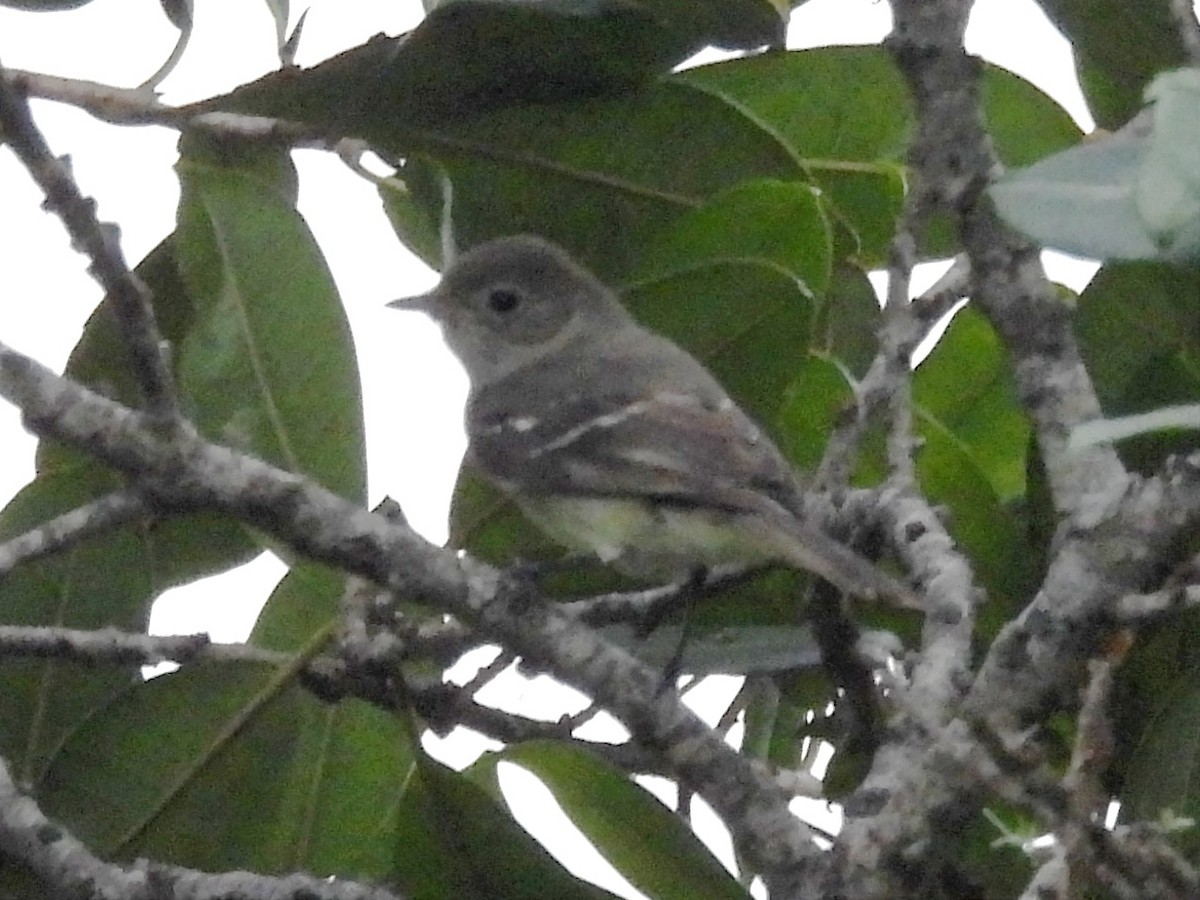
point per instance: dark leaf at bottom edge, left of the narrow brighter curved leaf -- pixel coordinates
(455, 843)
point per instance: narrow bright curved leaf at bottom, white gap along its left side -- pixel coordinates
(645, 841)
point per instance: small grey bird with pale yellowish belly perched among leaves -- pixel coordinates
(611, 439)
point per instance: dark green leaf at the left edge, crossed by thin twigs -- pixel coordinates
(103, 581)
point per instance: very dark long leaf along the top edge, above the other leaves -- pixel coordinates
(475, 56)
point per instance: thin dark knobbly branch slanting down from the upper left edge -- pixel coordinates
(100, 242)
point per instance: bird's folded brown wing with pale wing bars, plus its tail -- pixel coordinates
(676, 451)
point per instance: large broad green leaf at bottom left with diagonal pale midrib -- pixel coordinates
(235, 767)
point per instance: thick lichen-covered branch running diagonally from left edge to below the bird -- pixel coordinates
(182, 472)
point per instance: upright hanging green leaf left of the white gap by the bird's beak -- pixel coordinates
(271, 365)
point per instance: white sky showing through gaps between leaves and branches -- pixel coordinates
(412, 389)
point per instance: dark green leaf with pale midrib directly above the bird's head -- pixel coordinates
(591, 175)
